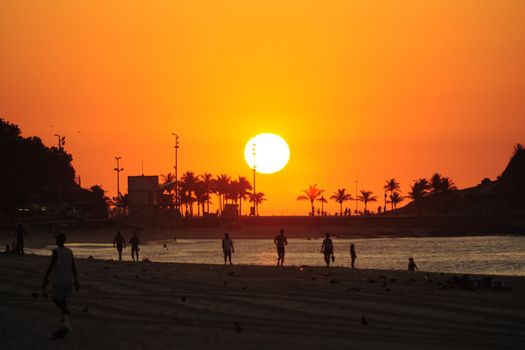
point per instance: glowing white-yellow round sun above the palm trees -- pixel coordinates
(271, 153)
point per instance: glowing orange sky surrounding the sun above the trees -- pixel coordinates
(364, 90)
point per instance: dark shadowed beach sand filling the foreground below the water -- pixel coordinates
(172, 306)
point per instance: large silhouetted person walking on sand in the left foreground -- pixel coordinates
(64, 276)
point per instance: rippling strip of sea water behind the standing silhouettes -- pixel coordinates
(498, 255)
